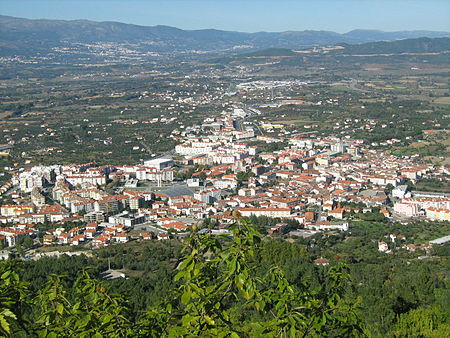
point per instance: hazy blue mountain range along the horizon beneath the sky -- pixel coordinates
(31, 37)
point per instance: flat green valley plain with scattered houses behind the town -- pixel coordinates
(105, 113)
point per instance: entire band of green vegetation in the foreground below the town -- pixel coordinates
(239, 286)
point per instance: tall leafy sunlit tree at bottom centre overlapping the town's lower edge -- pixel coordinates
(217, 277)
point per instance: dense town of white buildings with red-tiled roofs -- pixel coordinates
(317, 182)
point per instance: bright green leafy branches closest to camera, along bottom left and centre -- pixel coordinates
(219, 293)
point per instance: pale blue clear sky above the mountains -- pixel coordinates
(246, 15)
